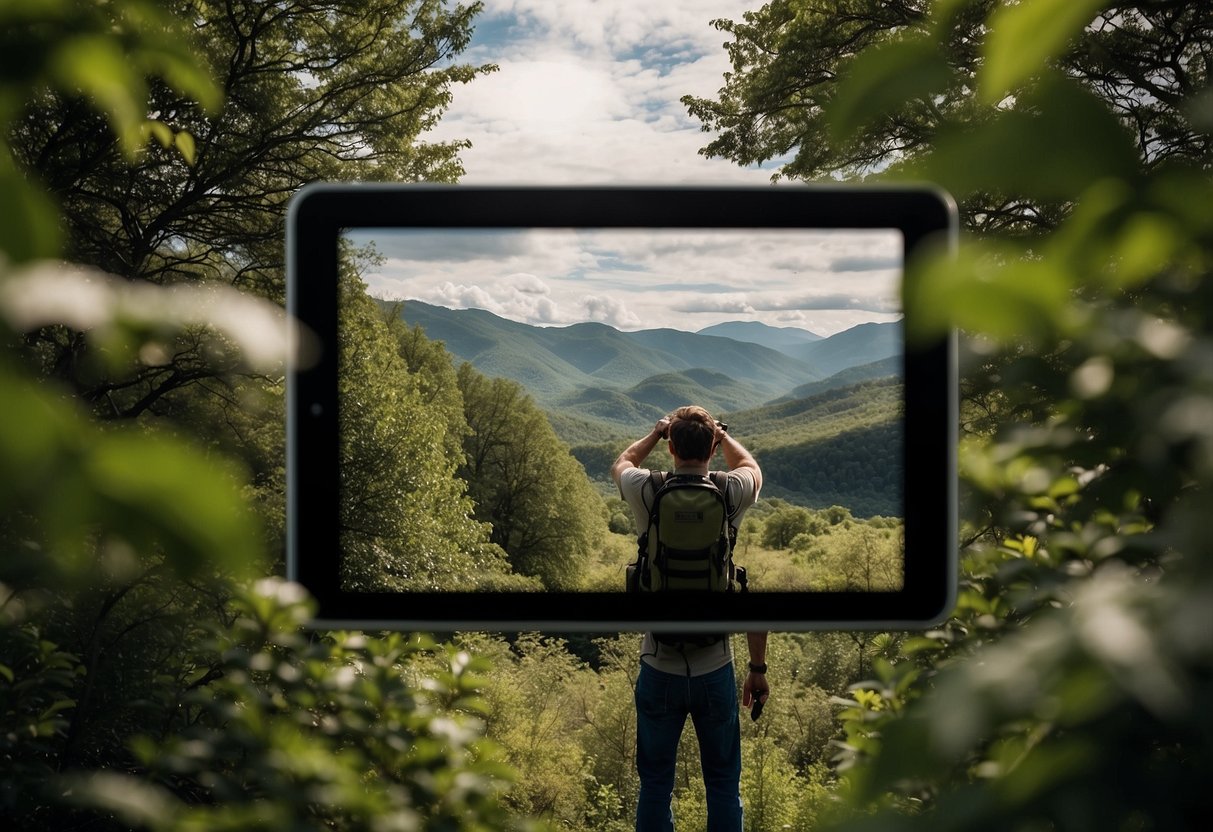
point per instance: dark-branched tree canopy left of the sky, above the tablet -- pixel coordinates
(304, 92)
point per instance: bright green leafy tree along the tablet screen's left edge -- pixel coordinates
(406, 520)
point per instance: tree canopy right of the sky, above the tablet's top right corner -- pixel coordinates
(810, 93)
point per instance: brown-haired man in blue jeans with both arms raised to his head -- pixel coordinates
(681, 681)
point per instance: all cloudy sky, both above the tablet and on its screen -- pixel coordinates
(589, 93)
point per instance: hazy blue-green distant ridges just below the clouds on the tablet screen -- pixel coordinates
(591, 364)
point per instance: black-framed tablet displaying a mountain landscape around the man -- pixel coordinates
(585, 316)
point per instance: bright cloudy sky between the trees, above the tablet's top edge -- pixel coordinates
(589, 93)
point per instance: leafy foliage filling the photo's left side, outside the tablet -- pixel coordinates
(144, 681)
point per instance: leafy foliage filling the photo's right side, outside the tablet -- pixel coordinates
(1081, 646)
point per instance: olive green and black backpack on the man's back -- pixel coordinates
(688, 544)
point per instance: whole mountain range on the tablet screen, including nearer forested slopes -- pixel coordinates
(822, 414)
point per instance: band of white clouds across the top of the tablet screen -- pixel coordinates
(643, 280)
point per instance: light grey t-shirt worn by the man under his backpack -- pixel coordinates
(742, 492)
